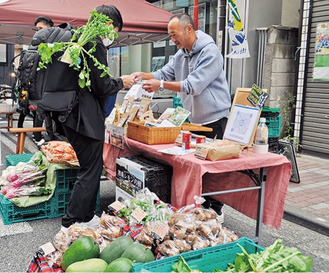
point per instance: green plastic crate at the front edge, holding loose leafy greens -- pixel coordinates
(206, 259)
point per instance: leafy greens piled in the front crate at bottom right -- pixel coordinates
(275, 258)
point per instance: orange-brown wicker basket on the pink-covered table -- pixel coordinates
(152, 135)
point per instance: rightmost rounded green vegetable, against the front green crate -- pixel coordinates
(138, 253)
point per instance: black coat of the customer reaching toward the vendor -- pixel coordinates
(88, 116)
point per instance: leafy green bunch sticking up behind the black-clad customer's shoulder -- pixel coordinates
(98, 25)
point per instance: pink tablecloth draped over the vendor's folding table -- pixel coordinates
(192, 176)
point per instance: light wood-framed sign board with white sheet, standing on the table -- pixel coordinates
(241, 100)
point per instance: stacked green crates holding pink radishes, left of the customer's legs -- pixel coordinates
(54, 207)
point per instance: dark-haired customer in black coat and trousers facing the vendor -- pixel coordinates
(85, 129)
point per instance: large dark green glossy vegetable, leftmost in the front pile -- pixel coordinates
(83, 248)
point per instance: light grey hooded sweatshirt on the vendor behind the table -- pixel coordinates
(204, 90)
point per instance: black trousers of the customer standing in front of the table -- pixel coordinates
(82, 203)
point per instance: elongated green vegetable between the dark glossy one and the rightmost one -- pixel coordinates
(116, 248)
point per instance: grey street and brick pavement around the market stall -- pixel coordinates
(19, 241)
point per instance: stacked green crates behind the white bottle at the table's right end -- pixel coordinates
(273, 122)
